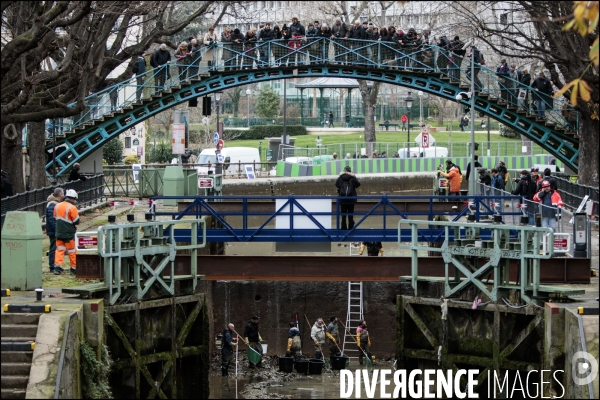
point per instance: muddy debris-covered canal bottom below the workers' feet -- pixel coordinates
(270, 383)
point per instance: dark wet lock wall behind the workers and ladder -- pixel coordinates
(277, 304)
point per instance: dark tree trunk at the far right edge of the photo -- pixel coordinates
(588, 173)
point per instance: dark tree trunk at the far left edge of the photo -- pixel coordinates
(12, 157)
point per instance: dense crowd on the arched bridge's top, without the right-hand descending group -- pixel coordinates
(271, 45)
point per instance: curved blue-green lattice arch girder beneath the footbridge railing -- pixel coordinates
(88, 136)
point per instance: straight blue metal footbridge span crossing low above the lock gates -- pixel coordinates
(291, 218)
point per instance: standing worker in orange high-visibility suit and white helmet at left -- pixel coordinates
(67, 219)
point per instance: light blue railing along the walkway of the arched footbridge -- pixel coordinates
(318, 51)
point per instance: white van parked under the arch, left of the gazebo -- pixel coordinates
(232, 158)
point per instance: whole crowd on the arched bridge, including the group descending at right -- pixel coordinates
(294, 44)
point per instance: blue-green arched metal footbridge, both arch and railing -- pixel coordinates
(428, 68)
